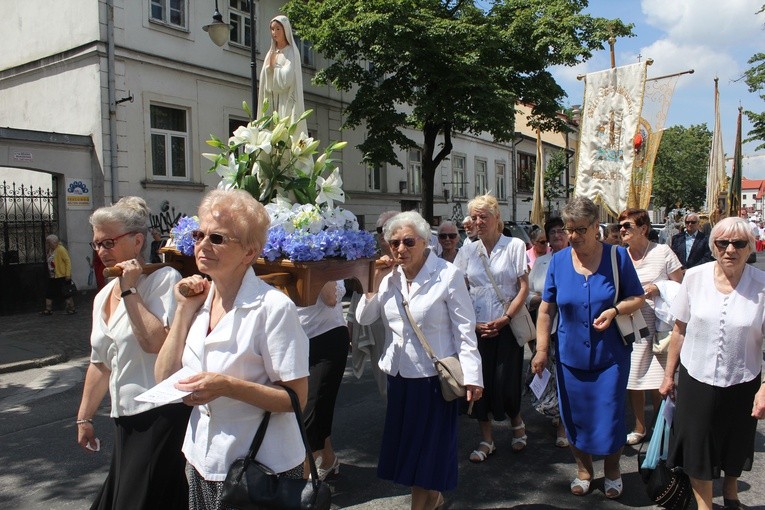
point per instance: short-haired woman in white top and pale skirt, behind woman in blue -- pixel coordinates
(653, 263)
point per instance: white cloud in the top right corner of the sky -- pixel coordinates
(707, 22)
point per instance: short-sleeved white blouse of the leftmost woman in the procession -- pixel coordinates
(115, 345)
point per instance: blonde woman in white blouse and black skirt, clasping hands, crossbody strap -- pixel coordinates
(502, 356)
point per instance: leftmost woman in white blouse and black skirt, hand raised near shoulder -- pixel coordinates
(131, 315)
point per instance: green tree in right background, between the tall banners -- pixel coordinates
(679, 174)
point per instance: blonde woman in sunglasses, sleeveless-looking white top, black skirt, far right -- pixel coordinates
(717, 343)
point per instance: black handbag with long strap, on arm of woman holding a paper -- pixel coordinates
(250, 485)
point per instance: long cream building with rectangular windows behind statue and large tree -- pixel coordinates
(114, 97)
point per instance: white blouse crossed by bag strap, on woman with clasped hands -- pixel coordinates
(507, 263)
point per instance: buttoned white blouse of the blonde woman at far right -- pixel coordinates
(724, 336)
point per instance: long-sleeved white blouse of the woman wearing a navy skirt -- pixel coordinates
(440, 304)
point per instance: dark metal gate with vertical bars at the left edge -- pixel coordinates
(27, 216)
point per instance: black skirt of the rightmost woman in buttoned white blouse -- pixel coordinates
(713, 429)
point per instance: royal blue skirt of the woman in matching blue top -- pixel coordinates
(593, 407)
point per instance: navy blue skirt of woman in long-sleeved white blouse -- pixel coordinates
(419, 443)
